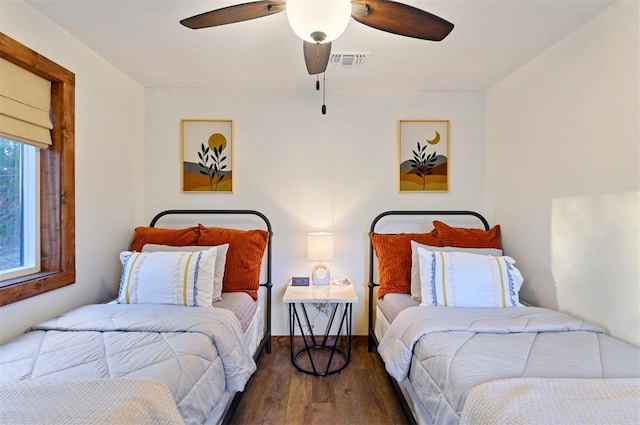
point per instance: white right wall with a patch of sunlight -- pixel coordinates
(562, 172)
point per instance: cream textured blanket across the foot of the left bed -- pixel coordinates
(92, 401)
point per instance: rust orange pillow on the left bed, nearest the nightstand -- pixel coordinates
(244, 257)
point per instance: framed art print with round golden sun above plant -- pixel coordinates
(207, 155)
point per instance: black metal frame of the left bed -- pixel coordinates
(265, 342)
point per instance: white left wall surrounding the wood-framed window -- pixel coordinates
(109, 135)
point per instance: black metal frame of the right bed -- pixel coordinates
(372, 340)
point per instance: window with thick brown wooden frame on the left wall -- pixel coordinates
(55, 172)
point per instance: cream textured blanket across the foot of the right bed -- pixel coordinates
(534, 401)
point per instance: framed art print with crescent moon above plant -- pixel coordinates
(423, 155)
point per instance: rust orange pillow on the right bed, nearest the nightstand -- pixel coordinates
(394, 259)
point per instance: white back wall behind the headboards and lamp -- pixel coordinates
(309, 172)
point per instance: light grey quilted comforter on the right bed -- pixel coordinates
(446, 352)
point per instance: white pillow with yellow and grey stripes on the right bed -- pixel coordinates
(461, 279)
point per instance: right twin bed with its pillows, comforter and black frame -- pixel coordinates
(460, 346)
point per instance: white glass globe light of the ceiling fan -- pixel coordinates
(318, 21)
